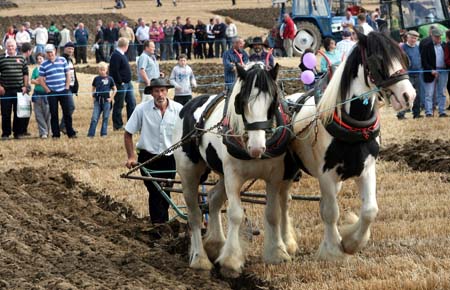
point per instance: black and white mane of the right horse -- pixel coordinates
(375, 44)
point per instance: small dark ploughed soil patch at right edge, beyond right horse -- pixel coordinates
(420, 154)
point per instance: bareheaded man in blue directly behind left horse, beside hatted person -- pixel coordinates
(235, 55)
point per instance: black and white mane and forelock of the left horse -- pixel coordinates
(257, 77)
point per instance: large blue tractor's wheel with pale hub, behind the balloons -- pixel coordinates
(308, 36)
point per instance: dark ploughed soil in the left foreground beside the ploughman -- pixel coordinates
(56, 233)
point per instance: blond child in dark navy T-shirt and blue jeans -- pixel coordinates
(103, 91)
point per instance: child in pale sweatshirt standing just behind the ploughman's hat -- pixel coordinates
(183, 79)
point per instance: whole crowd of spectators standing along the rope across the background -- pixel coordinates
(119, 44)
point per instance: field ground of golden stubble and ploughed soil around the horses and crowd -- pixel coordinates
(67, 221)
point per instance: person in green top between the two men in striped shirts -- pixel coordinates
(41, 107)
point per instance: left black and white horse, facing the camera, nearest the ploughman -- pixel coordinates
(252, 105)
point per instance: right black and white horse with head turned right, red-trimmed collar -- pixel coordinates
(337, 139)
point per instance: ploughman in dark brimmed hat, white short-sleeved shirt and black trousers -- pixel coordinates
(155, 120)
